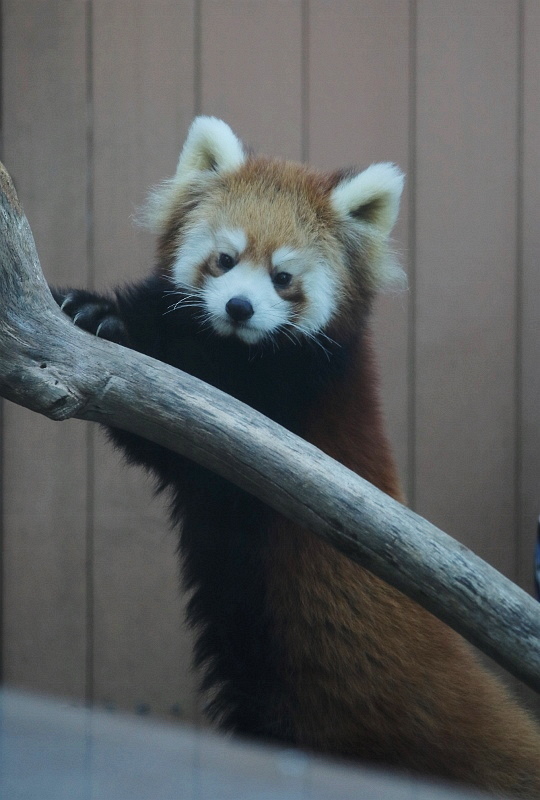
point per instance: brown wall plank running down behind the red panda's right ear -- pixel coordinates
(358, 102)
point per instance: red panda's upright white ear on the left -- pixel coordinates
(211, 146)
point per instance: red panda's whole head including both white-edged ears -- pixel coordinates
(266, 246)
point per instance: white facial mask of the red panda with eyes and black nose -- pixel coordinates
(290, 289)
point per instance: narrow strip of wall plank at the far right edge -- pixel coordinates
(530, 296)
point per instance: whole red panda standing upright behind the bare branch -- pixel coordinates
(263, 283)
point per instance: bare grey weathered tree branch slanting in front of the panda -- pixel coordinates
(50, 366)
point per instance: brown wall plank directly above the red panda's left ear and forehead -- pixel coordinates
(251, 60)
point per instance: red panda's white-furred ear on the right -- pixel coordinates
(370, 198)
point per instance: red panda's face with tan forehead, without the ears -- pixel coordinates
(246, 254)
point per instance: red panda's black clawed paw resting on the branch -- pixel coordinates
(92, 313)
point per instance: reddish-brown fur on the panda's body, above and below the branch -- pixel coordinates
(375, 667)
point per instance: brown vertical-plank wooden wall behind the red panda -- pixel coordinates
(97, 96)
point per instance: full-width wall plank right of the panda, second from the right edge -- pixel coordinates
(467, 84)
